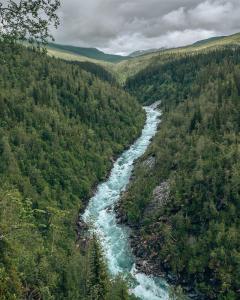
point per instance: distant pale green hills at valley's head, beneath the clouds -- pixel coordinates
(129, 66)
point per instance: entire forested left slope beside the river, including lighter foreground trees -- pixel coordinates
(60, 127)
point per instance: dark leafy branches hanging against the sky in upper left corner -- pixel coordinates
(28, 19)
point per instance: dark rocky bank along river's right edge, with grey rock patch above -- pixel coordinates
(145, 251)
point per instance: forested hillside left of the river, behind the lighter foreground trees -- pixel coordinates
(60, 126)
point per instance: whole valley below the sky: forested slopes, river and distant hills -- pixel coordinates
(74, 116)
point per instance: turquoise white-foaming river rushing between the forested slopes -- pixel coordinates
(114, 238)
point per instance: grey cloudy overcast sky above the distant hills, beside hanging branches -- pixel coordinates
(123, 26)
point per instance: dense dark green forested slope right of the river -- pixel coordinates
(184, 197)
